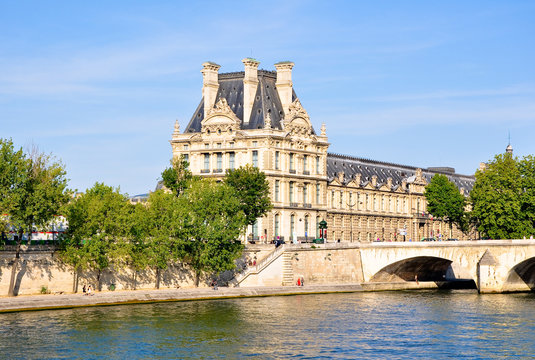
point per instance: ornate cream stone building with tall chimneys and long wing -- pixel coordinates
(255, 117)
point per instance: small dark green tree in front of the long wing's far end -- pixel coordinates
(445, 201)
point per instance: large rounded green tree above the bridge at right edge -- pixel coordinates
(502, 197)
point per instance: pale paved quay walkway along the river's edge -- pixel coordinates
(43, 302)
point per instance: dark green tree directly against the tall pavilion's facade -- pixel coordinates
(252, 189)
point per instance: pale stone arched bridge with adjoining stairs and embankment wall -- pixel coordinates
(490, 265)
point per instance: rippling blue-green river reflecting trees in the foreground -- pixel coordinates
(379, 325)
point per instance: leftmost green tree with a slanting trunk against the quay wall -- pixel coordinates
(33, 188)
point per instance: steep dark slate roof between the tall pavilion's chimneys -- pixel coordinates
(231, 88)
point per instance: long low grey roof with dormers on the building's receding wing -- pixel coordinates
(352, 166)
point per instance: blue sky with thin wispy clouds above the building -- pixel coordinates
(100, 84)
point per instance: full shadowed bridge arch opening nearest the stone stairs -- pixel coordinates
(422, 268)
